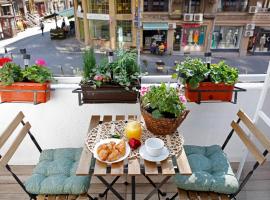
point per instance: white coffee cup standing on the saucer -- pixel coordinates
(154, 146)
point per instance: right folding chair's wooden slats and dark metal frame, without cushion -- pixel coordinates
(259, 156)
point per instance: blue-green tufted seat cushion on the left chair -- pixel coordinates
(55, 173)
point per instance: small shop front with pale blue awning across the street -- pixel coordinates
(154, 33)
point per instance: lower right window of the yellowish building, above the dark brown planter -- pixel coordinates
(124, 31)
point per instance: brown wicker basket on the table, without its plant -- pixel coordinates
(163, 126)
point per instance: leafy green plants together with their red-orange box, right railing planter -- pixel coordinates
(204, 83)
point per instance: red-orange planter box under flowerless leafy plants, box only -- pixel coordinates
(220, 92)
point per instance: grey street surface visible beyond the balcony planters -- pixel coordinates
(63, 56)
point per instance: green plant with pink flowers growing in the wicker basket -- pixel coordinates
(162, 101)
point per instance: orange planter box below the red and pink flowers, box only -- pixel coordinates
(25, 92)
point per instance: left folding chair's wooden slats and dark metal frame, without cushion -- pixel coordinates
(4, 159)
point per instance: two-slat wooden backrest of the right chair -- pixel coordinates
(263, 140)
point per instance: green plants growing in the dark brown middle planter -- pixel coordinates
(123, 71)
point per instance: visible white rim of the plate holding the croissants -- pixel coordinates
(108, 141)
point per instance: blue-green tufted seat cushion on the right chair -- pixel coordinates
(211, 171)
